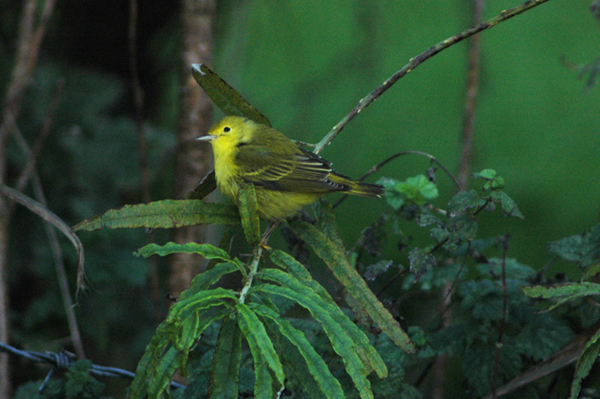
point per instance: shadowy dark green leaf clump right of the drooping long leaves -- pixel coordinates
(527, 335)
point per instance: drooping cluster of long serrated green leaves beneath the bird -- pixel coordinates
(252, 316)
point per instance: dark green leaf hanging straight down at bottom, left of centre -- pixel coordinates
(224, 378)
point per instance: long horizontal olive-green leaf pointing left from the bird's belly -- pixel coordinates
(162, 214)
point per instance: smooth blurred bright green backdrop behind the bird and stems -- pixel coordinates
(305, 64)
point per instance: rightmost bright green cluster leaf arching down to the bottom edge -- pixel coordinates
(341, 342)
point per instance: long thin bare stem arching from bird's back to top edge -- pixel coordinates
(414, 62)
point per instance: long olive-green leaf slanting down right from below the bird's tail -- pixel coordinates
(353, 282)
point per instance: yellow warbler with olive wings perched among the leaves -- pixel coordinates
(285, 176)
